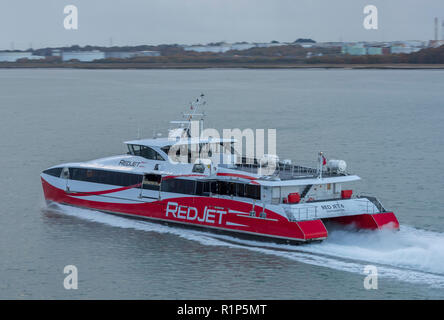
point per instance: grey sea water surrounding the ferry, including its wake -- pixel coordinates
(387, 125)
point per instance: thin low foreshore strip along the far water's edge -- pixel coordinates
(138, 65)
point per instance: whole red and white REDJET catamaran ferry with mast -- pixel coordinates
(223, 192)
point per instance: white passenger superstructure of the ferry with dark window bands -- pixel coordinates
(197, 174)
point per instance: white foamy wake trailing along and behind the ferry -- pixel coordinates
(412, 255)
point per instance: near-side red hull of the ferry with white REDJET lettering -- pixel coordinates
(205, 212)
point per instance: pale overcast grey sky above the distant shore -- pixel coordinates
(130, 22)
